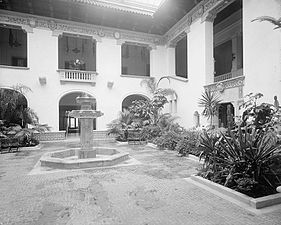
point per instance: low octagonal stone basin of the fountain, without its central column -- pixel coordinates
(68, 159)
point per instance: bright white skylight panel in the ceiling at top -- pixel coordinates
(144, 7)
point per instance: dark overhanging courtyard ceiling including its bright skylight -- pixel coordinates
(131, 16)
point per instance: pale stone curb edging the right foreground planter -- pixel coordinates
(257, 203)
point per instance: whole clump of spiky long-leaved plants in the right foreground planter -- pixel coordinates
(241, 158)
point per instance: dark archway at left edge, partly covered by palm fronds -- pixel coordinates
(13, 107)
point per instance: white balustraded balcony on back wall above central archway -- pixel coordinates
(77, 76)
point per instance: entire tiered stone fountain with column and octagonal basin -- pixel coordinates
(87, 155)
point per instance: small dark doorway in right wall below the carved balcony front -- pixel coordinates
(226, 115)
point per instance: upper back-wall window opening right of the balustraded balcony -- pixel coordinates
(135, 59)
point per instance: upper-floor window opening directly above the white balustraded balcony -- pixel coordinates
(77, 53)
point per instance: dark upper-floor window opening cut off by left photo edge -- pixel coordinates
(13, 46)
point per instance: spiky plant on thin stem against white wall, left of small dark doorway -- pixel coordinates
(210, 101)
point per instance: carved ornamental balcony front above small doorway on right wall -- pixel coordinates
(226, 84)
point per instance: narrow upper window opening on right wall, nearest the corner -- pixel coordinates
(181, 57)
